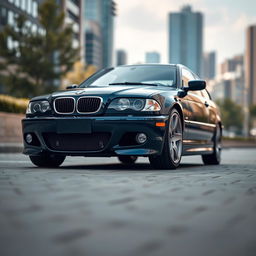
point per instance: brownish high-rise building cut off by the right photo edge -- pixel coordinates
(250, 64)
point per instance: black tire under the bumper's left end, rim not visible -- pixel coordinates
(47, 160)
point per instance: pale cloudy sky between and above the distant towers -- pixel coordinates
(141, 26)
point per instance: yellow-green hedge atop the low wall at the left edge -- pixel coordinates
(13, 105)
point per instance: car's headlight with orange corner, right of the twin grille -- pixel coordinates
(122, 104)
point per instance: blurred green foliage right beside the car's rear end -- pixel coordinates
(231, 114)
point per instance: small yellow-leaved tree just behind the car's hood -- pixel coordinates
(79, 73)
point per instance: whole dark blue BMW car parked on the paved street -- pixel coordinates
(162, 112)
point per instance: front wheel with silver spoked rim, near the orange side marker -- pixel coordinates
(172, 150)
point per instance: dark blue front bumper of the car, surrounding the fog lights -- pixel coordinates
(116, 126)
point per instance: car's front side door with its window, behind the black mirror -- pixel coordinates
(197, 122)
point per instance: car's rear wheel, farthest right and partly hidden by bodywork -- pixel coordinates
(215, 157)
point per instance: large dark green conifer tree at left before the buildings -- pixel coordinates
(37, 59)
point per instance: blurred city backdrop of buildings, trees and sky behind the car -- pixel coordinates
(46, 45)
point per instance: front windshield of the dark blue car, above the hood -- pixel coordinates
(164, 75)
